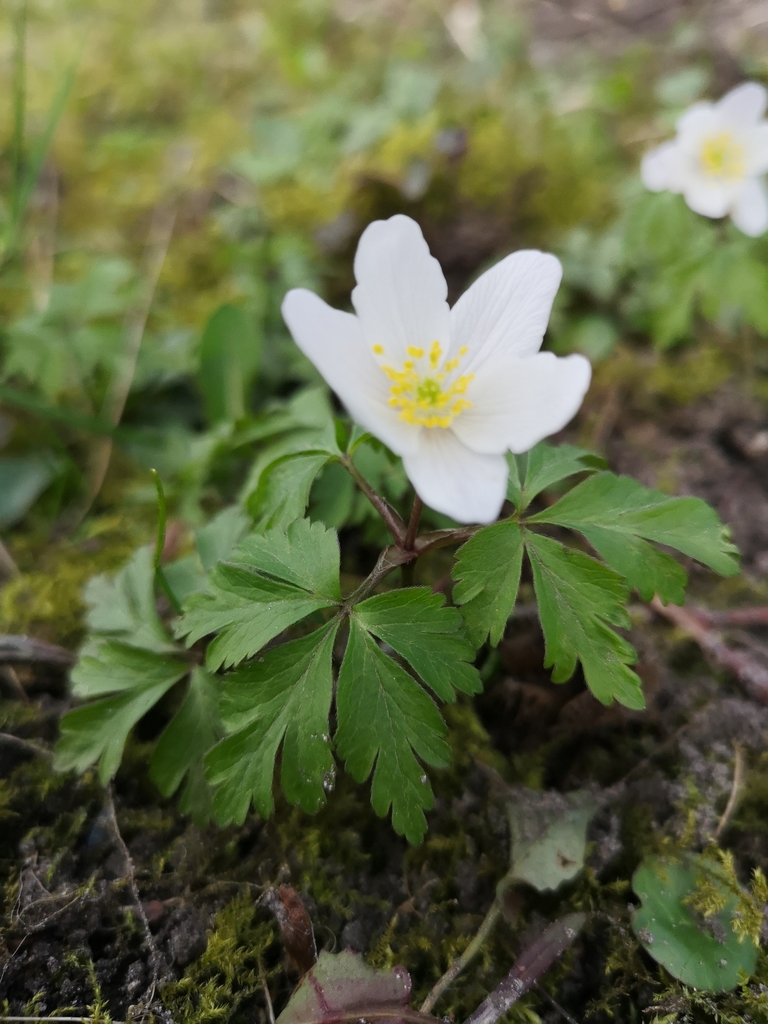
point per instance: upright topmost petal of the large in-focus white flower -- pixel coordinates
(401, 296)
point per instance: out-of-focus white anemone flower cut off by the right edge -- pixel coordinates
(717, 158)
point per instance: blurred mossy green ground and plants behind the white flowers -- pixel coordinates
(169, 170)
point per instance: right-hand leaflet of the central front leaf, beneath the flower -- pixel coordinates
(417, 624)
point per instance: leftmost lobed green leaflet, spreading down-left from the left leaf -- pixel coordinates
(99, 731)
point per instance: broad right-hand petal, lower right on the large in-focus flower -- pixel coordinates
(518, 403)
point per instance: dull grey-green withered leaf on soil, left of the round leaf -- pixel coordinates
(549, 835)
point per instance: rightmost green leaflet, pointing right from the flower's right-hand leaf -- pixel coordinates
(617, 515)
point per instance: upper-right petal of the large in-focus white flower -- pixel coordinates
(507, 309)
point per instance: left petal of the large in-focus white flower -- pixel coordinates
(333, 342)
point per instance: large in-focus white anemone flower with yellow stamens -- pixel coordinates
(450, 391)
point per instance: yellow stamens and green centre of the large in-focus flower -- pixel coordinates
(426, 392)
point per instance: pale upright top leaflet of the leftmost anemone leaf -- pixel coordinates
(123, 607)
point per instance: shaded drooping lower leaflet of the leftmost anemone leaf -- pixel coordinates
(193, 732)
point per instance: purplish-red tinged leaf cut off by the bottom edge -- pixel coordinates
(343, 987)
